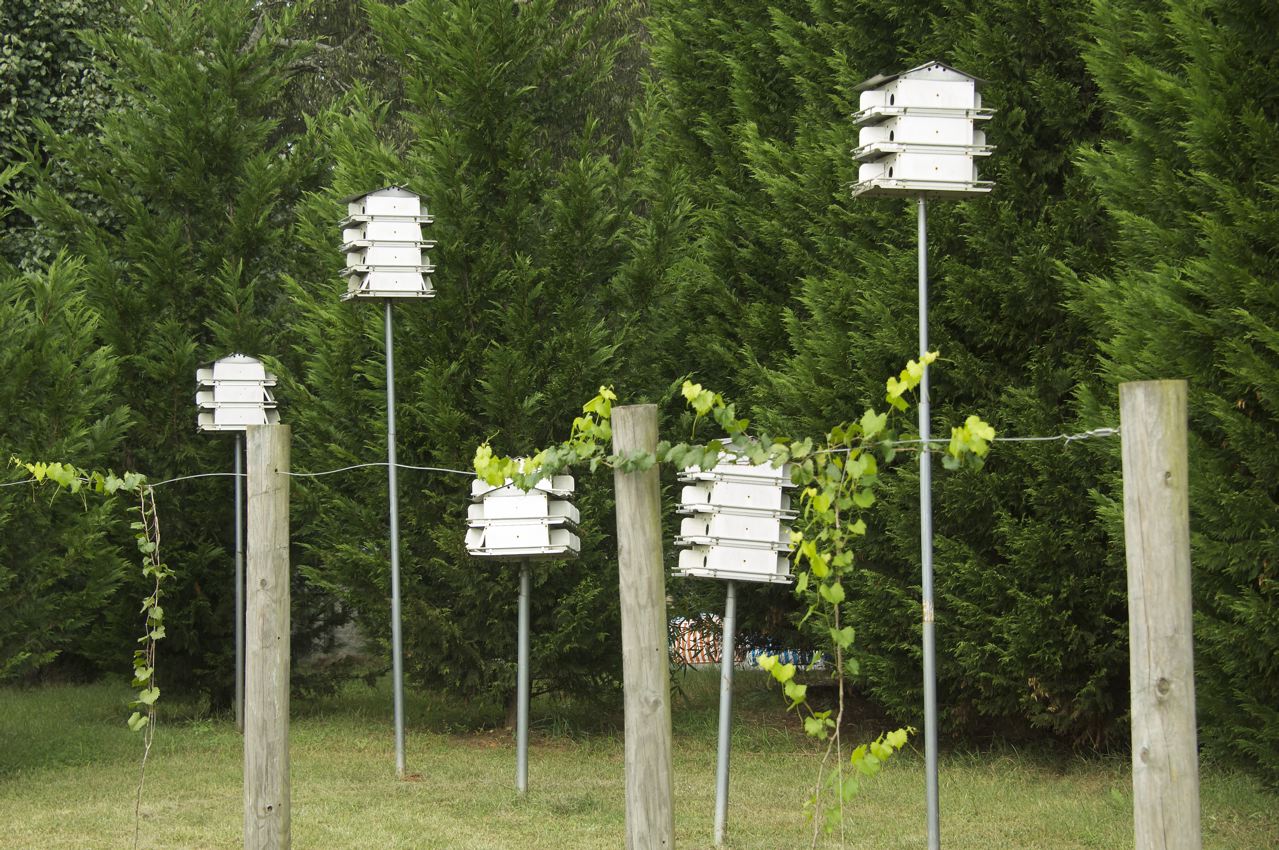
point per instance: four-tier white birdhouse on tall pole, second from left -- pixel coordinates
(386, 251)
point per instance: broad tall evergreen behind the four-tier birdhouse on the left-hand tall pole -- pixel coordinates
(507, 151)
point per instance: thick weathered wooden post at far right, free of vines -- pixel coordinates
(1162, 668)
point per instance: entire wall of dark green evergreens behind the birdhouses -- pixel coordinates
(636, 192)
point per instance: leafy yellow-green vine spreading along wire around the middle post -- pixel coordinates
(836, 481)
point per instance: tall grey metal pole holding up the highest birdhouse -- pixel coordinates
(930, 674)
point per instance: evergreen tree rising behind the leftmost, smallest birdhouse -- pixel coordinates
(185, 235)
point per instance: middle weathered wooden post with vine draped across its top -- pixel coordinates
(645, 653)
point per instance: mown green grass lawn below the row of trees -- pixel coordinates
(70, 769)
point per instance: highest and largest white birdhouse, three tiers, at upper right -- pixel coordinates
(919, 134)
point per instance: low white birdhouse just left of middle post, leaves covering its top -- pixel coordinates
(508, 522)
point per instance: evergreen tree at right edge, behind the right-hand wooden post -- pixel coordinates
(1191, 181)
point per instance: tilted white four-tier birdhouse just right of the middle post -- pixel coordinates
(737, 523)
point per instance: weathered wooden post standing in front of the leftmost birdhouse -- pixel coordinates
(267, 672)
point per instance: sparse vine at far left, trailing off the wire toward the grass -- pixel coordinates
(146, 529)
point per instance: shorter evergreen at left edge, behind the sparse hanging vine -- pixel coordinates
(58, 402)
